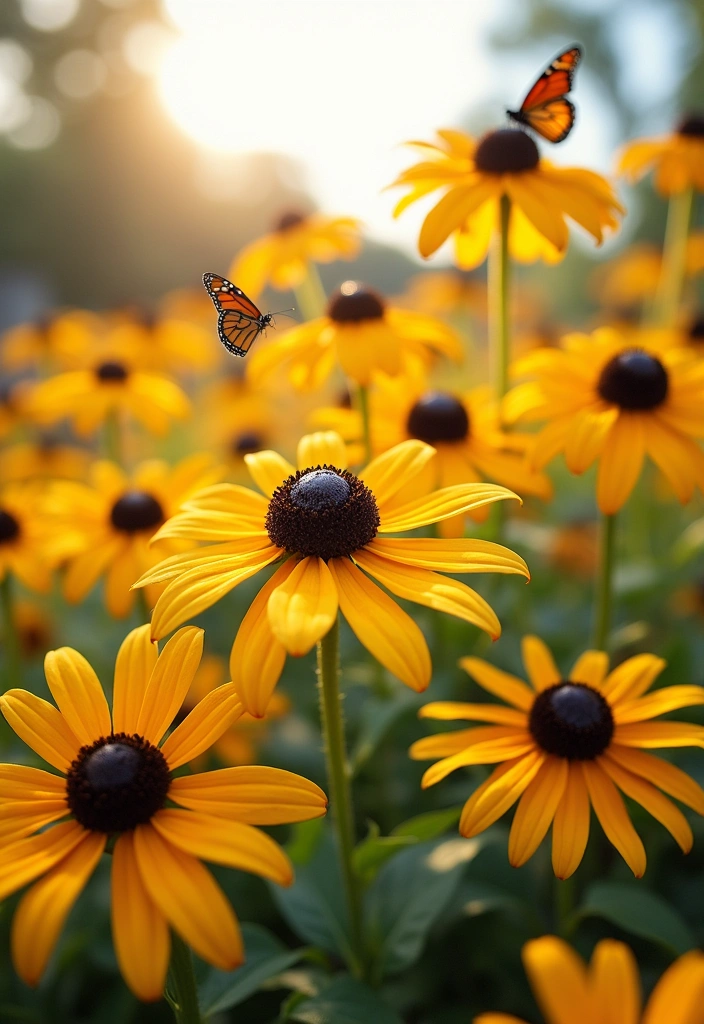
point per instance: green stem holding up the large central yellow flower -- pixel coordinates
(333, 724)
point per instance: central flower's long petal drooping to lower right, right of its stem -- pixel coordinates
(388, 633)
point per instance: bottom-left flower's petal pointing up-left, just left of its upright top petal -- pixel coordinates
(76, 690)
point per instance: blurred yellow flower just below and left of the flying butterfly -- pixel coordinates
(89, 398)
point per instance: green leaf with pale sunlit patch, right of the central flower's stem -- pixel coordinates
(410, 894)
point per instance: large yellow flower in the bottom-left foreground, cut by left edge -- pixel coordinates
(118, 783)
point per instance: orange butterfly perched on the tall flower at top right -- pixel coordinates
(547, 109)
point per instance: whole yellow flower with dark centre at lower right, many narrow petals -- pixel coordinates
(564, 744)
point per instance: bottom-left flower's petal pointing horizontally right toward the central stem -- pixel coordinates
(257, 796)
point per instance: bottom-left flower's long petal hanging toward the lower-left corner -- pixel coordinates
(43, 911)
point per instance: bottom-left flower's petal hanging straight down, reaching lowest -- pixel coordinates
(141, 933)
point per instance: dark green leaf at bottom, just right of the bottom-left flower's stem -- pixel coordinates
(267, 958)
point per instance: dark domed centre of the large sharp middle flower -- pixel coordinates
(324, 513)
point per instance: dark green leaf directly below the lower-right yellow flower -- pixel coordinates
(639, 912)
